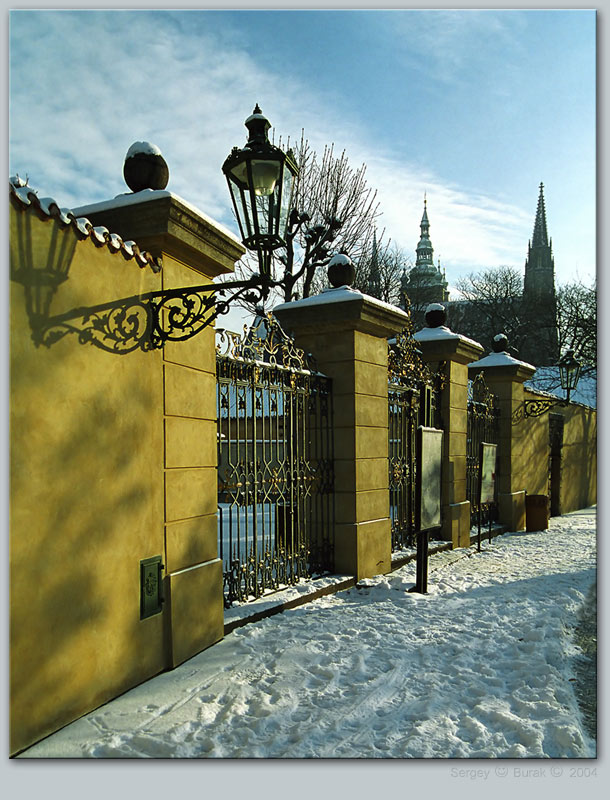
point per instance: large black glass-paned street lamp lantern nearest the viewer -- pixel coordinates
(261, 180)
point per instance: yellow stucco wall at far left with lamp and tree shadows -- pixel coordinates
(86, 504)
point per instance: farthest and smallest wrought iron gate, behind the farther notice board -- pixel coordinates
(482, 426)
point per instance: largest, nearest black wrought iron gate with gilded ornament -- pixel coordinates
(275, 463)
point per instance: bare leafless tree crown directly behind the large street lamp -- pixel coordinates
(334, 211)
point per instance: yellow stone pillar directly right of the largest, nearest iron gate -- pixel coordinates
(347, 333)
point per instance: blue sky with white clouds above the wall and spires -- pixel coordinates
(473, 107)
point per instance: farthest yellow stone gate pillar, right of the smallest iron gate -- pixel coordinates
(505, 376)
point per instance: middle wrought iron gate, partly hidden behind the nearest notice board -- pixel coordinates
(413, 400)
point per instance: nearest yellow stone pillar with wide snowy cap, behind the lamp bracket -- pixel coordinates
(193, 250)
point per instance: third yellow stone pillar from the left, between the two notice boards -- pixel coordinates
(439, 344)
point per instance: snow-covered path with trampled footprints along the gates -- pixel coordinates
(482, 666)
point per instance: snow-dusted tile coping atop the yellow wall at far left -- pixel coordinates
(26, 197)
